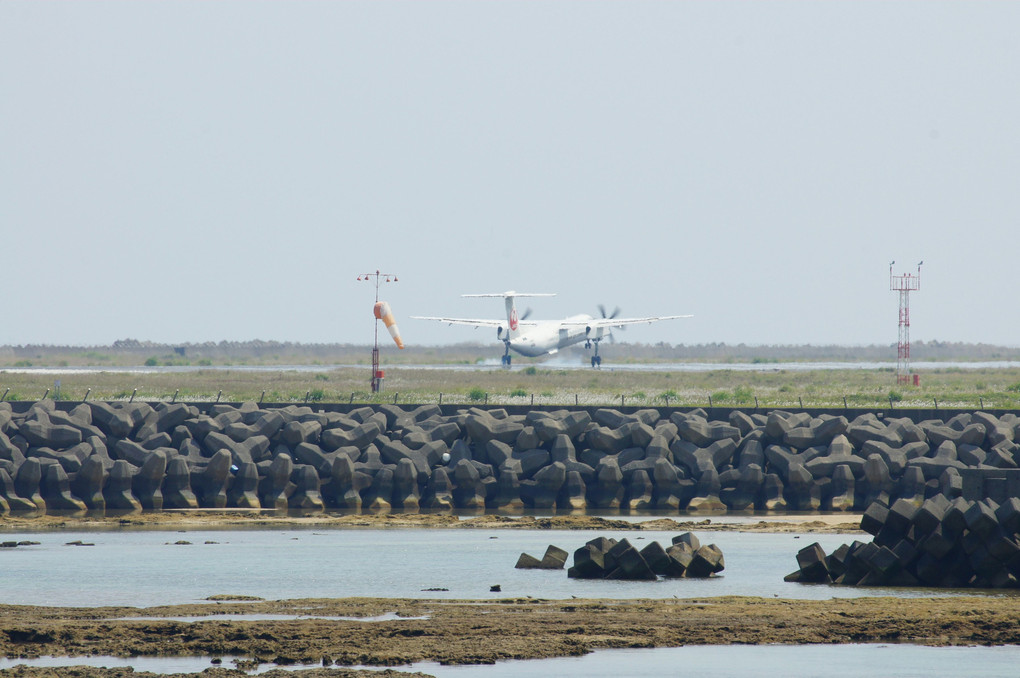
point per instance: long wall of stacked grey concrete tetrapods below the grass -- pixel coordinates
(136, 456)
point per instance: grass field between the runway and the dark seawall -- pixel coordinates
(776, 387)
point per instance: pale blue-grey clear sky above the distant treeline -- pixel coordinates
(195, 172)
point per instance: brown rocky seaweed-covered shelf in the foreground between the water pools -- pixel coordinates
(486, 632)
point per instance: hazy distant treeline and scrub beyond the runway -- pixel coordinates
(284, 352)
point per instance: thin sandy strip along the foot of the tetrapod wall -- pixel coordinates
(202, 519)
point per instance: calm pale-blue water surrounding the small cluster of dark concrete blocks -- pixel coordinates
(146, 568)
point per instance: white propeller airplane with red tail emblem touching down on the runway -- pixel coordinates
(539, 338)
